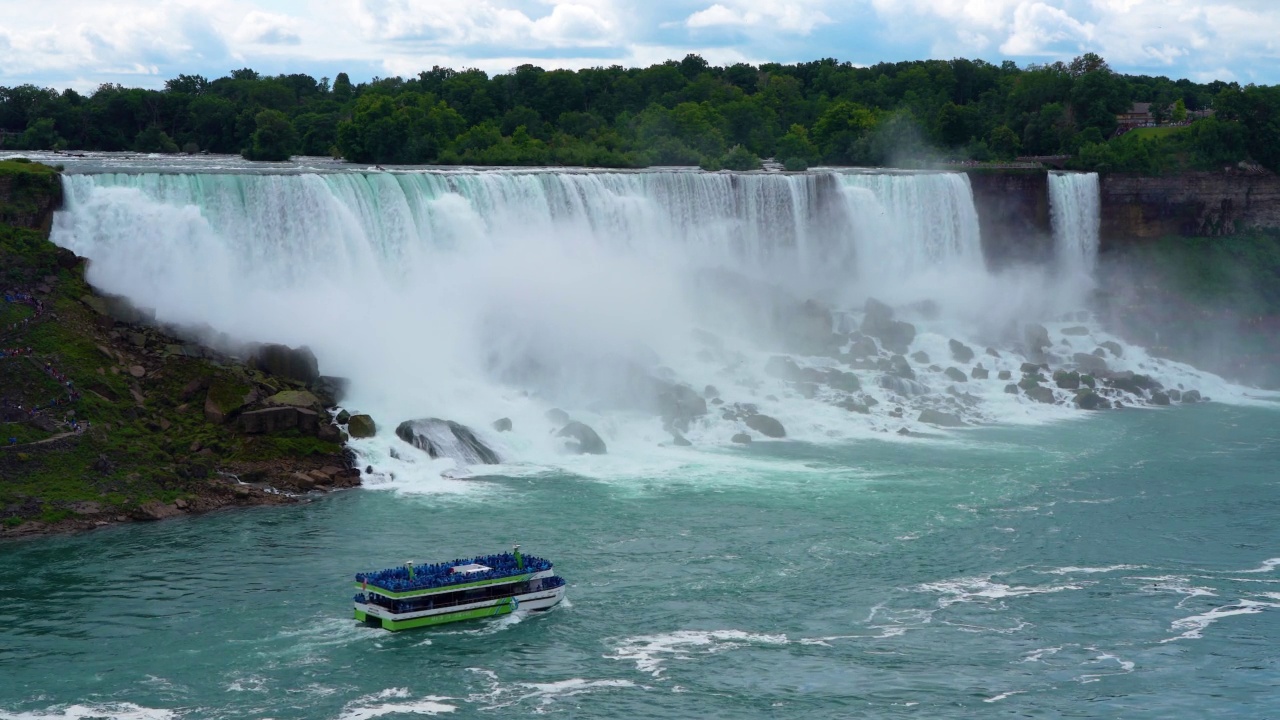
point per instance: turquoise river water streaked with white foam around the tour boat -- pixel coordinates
(1122, 566)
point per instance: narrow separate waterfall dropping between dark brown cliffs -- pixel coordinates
(1076, 209)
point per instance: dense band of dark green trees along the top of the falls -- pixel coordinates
(675, 113)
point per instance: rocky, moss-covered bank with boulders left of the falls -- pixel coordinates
(106, 417)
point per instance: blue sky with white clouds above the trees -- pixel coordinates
(83, 44)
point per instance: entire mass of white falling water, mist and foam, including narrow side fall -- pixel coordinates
(651, 306)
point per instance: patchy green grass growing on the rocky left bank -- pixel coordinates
(147, 435)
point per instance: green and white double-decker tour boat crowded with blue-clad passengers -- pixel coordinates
(417, 596)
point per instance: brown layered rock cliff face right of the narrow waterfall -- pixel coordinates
(1187, 204)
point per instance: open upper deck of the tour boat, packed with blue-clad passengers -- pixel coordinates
(424, 580)
